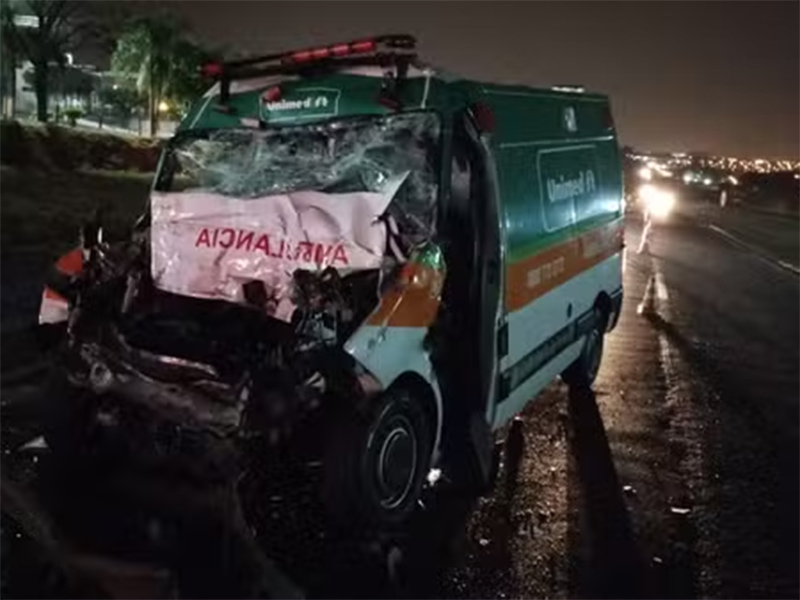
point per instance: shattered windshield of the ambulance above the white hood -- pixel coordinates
(361, 154)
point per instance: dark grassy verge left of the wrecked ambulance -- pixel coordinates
(42, 213)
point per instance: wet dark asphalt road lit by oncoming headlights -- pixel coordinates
(678, 477)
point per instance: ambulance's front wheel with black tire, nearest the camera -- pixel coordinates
(377, 459)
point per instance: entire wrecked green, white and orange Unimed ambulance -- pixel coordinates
(346, 246)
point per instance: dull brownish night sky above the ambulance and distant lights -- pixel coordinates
(721, 77)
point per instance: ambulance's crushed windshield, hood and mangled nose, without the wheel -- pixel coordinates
(232, 312)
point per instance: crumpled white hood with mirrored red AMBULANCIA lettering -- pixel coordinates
(207, 245)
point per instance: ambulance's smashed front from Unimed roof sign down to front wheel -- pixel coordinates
(284, 279)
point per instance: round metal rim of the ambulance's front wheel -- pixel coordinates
(396, 465)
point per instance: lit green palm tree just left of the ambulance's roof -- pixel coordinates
(164, 63)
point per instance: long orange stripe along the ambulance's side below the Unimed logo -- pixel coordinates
(536, 275)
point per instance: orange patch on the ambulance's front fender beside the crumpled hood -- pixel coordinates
(414, 302)
